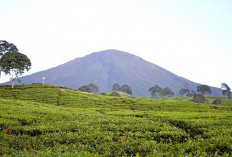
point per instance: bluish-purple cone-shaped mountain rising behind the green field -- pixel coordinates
(107, 67)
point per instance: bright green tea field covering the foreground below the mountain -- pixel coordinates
(46, 120)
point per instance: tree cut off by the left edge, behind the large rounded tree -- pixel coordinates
(6, 47)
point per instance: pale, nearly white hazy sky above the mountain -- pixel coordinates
(191, 38)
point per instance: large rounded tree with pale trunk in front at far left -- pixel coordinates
(14, 64)
